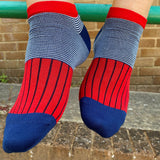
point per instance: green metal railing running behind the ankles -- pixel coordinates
(88, 12)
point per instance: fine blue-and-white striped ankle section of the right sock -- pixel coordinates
(118, 40)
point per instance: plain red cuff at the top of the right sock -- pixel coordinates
(123, 13)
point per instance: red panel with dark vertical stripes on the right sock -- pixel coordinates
(107, 81)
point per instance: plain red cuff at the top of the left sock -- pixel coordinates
(53, 6)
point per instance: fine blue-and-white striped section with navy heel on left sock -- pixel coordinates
(58, 36)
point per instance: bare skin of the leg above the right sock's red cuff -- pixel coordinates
(140, 6)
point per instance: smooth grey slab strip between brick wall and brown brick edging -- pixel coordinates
(143, 111)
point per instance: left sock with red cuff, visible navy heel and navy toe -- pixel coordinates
(58, 42)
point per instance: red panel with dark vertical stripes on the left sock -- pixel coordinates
(45, 88)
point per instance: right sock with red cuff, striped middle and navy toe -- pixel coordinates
(104, 92)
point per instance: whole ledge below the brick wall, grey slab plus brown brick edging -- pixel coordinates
(70, 139)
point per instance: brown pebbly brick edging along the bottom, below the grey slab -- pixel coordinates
(79, 143)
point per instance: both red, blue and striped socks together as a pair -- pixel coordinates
(58, 42)
